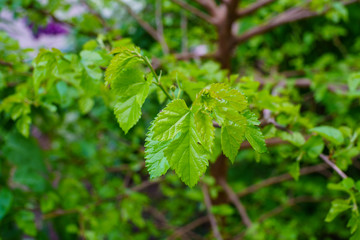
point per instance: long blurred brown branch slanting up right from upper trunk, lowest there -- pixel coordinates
(289, 16)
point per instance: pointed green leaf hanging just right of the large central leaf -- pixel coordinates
(232, 135)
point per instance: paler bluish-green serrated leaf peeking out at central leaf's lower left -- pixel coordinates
(156, 162)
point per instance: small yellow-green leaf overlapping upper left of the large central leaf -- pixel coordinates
(171, 120)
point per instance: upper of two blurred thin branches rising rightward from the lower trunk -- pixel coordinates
(281, 178)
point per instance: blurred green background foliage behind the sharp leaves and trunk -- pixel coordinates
(67, 171)
